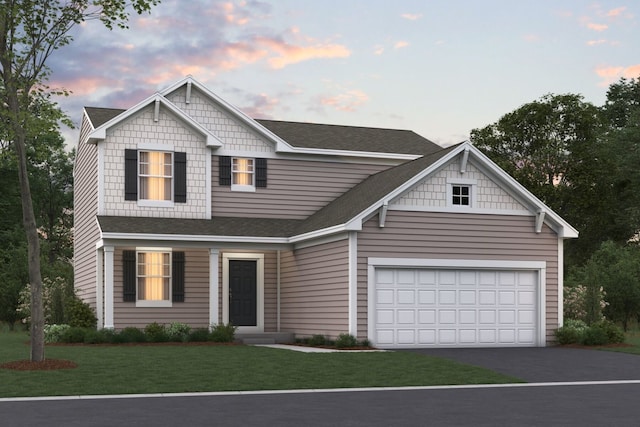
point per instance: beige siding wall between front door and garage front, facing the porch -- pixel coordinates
(315, 290)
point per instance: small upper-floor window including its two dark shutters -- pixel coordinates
(242, 173)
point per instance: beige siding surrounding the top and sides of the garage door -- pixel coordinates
(458, 236)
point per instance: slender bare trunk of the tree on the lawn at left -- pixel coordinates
(33, 245)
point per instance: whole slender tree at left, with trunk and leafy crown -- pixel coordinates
(30, 32)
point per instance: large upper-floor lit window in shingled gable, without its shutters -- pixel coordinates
(156, 172)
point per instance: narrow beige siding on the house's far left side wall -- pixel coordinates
(86, 231)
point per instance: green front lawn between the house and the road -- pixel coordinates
(175, 369)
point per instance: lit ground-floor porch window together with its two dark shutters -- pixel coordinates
(153, 277)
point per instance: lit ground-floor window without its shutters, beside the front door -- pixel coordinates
(154, 276)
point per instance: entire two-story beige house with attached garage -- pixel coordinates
(187, 210)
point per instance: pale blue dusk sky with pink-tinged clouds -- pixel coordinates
(438, 67)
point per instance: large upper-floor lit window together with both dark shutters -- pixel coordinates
(155, 177)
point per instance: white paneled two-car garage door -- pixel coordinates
(431, 307)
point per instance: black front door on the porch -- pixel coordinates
(242, 293)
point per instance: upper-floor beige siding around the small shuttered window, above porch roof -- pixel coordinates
(295, 189)
